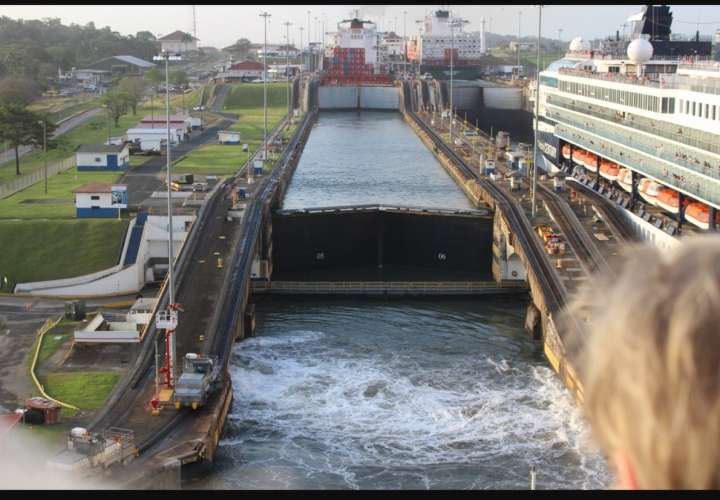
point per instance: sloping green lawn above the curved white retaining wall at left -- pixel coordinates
(36, 250)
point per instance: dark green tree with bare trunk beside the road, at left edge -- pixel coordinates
(19, 126)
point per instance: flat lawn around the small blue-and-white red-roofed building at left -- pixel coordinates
(58, 203)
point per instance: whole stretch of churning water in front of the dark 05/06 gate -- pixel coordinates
(447, 393)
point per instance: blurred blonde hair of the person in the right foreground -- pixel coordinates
(650, 364)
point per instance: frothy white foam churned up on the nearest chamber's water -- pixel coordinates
(336, 413)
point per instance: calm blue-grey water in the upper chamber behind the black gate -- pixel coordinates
(356, 158)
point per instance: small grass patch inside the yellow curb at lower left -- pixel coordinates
(86, 390)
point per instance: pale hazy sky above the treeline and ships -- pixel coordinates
(221, 25)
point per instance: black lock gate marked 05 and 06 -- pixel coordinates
(368, 239)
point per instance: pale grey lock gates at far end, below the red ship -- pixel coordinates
(347, 96)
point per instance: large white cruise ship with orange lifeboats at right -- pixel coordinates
(638, 119)
